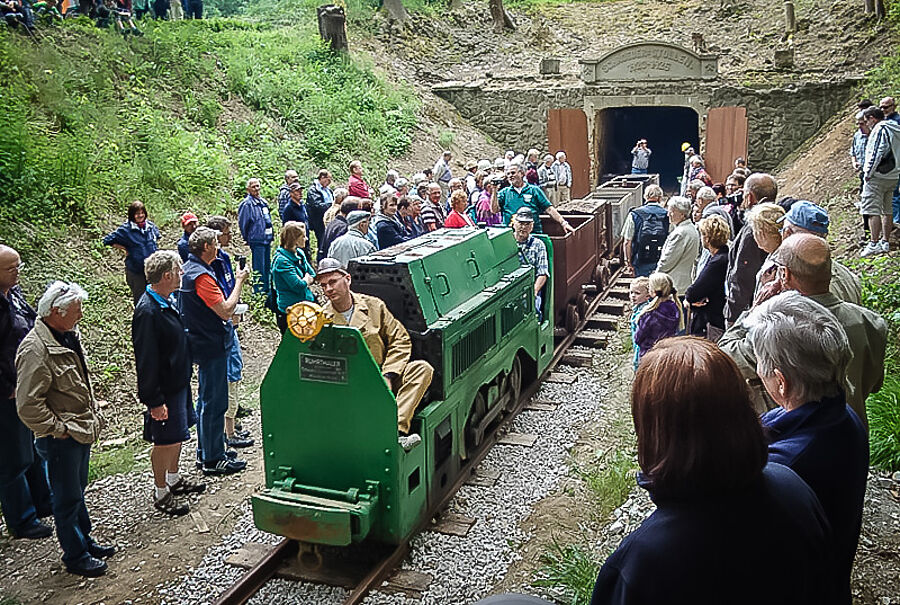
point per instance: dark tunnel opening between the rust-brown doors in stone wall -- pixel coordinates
(665, 128)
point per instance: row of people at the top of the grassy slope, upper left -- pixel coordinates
(121, 14)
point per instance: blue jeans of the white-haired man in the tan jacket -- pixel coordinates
(67, 464)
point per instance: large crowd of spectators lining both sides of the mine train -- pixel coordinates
(733, 286)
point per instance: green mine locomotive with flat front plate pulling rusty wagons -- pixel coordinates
(335, 473)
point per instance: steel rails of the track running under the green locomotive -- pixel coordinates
(252, 580)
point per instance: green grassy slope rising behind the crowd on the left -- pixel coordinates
(179, 119)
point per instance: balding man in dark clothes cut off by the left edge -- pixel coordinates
(24, 490)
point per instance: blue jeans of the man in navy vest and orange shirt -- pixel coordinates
(212, 403)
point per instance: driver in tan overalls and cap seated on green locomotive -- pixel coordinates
(387, 339)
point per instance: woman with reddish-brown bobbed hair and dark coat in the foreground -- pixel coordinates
(728, 527)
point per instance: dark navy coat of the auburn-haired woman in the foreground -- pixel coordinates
(768, 544)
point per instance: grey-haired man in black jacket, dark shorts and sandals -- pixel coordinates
(163, 360)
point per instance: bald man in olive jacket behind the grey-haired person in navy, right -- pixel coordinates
(804, 262)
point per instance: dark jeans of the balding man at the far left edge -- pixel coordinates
(24, 490)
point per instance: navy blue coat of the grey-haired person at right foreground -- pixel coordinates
(825, 443)
